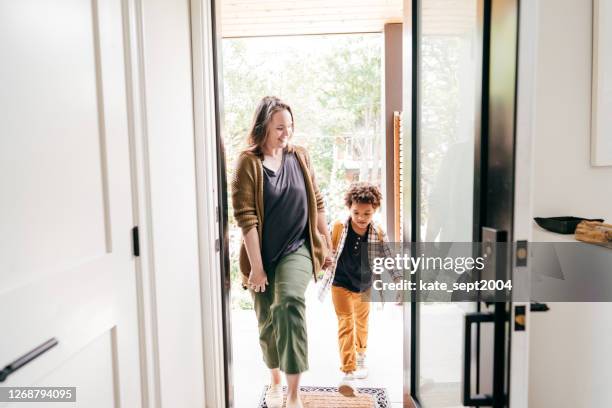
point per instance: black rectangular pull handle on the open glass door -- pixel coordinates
(480, 400)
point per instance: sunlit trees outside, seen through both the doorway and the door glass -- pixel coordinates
(333, 84)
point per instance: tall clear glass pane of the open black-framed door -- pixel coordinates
(449, 75)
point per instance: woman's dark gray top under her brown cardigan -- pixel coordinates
(285, 211)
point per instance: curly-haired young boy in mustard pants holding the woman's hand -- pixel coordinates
(349, 286)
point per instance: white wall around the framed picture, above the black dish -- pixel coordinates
(565, 183)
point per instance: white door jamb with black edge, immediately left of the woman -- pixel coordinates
(211, 203)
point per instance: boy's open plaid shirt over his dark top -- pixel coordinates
(380, 249)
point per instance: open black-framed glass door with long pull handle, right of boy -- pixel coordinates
(463, 189)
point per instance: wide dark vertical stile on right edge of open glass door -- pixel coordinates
(501, 169)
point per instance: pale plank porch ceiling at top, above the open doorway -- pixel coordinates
(259, 18)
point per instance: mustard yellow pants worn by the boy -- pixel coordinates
(353, 311)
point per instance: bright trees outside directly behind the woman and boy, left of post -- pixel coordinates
(333, 84)
